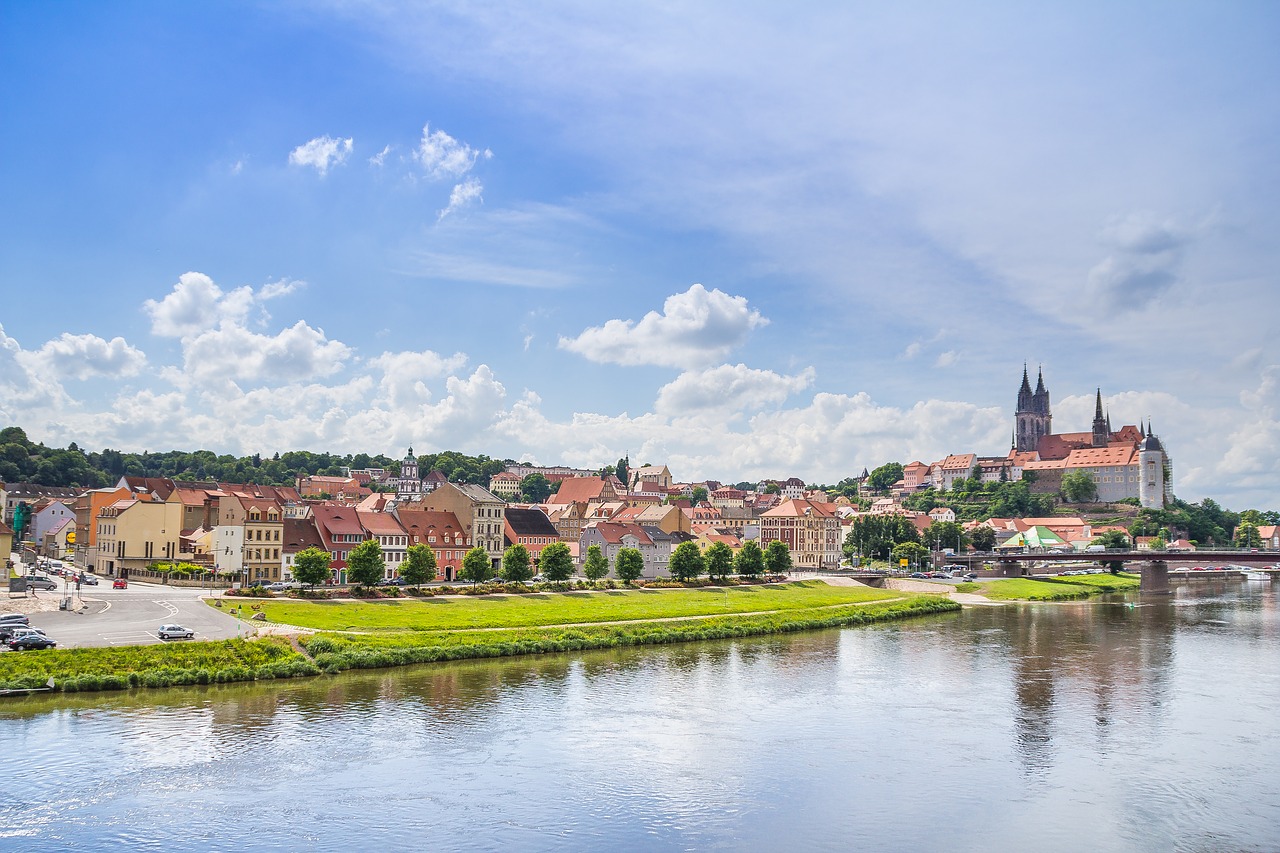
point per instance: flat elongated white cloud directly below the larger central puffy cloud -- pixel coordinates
(729, 389)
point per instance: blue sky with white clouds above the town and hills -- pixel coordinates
(743, 240)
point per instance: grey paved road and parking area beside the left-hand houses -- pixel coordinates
(106, 617)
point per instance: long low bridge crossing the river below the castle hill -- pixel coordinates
(1154, 565)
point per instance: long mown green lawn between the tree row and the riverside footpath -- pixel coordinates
(454, 613)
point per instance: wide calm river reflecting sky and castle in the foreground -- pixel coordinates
(1130, 724)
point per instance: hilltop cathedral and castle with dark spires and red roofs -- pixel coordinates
(1128, 463)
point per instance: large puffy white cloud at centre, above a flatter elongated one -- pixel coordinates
(696, 329)
